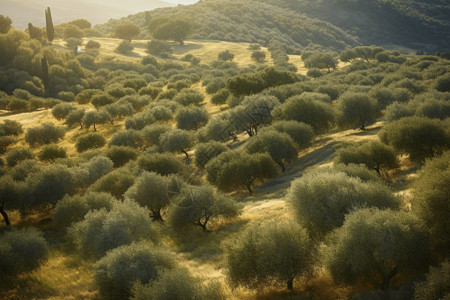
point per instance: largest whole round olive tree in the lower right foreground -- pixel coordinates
(375, 245)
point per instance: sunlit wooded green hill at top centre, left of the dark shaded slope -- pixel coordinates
(249, 21)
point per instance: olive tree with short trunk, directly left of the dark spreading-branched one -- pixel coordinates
(151, 191)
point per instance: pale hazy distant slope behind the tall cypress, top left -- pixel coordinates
(99, 11)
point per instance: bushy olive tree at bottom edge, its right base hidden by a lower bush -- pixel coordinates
(117, 272)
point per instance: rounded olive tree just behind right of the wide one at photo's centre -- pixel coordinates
(279, 146)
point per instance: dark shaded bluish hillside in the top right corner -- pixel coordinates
(416, 24)
